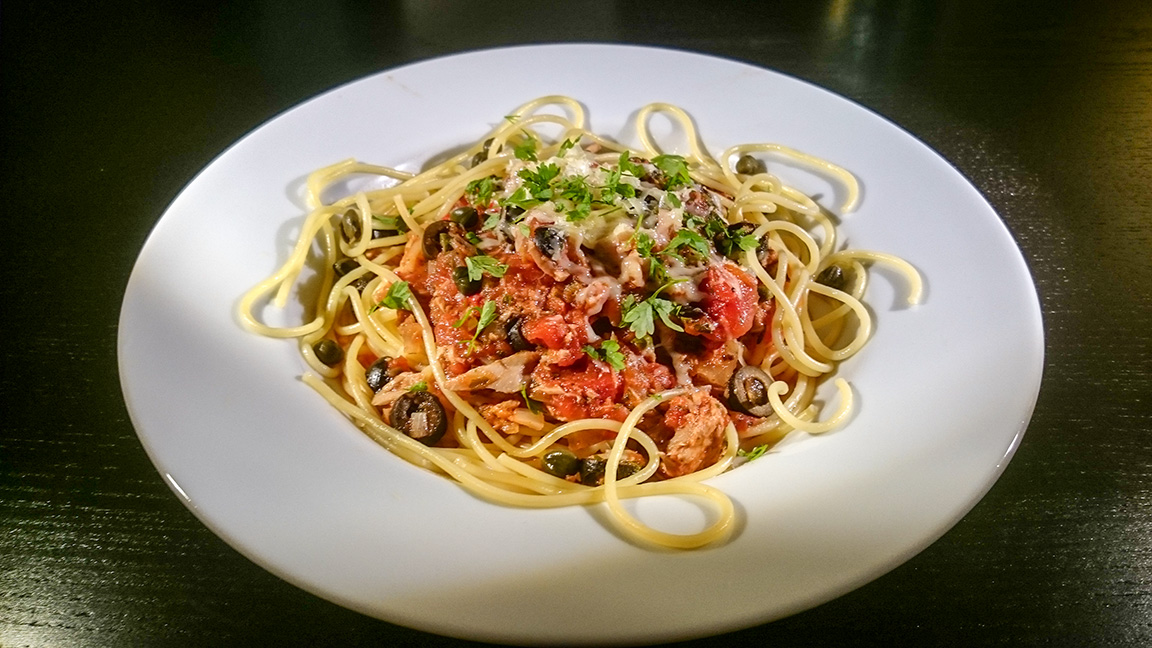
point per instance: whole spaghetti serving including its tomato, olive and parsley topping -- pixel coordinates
(559, 321)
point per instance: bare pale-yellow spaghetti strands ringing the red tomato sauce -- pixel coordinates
(813, 328)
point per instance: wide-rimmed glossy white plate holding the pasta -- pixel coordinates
(945, 390)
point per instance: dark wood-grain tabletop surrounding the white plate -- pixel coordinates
(109, 110)
